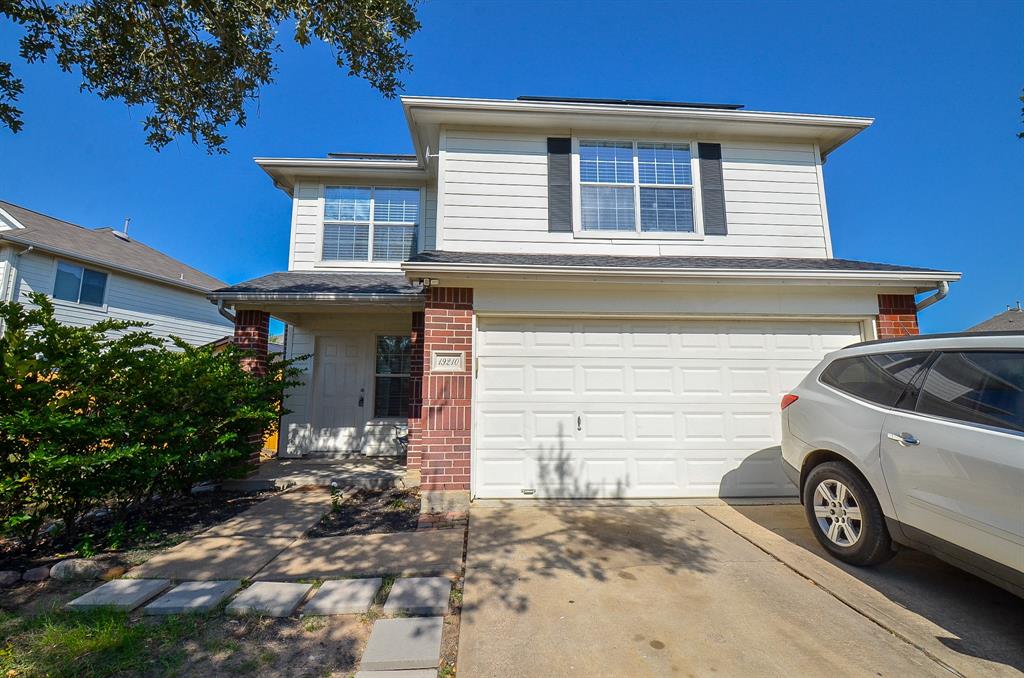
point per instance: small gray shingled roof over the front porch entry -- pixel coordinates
(314, 283)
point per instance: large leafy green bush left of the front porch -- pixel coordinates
(110, 416)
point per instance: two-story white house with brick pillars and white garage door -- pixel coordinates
(568, 298)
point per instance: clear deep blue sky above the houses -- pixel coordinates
(938, 182)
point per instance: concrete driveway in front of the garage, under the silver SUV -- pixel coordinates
(611, 590)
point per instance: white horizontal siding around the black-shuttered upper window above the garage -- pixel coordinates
(496, 188)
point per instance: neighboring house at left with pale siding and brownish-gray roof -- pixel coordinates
(95, 275)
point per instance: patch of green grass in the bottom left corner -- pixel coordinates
(100, 643)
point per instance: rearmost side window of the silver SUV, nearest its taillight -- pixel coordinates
(880, 378)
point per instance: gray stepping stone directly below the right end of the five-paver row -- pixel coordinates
(405, 644)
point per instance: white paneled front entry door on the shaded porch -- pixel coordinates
(342, 393)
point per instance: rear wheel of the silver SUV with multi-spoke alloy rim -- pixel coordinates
(845, 516)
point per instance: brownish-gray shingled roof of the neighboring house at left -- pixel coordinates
(102, 247)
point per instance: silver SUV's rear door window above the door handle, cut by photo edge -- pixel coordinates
(976, 388)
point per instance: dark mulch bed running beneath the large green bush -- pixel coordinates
(157, 525)
